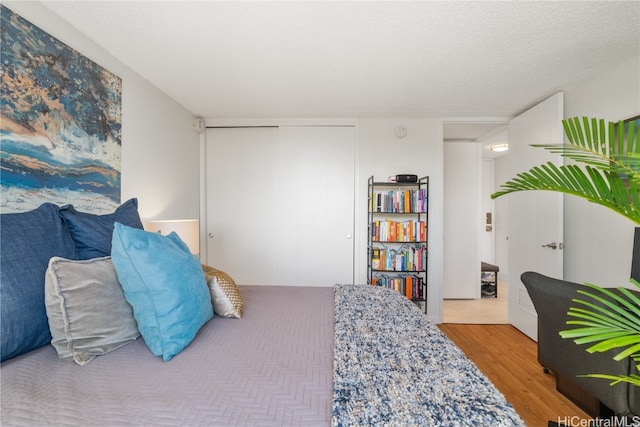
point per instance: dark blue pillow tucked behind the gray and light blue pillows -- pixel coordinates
(92, 233)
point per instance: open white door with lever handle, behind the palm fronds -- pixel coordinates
(535, 217)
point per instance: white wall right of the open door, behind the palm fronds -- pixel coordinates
(598, 242)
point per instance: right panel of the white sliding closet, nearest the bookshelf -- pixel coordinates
(316, 208)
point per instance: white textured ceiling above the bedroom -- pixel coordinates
(360, 58)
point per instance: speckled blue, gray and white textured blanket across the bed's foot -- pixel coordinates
(392, 367)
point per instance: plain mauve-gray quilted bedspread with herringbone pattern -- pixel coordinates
(273, 367)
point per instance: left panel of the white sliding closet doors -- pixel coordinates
(241, 189)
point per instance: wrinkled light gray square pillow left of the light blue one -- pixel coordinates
(88, 314)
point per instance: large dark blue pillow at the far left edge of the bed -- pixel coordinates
(27, 241)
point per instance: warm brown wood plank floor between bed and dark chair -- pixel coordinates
(509, 359)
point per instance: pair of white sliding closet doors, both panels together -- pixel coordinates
(280, 204)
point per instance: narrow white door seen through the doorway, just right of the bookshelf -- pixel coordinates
(462, 222)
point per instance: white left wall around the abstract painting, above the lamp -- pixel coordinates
(160, 150)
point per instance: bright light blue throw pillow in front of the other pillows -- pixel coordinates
(164, 283)
